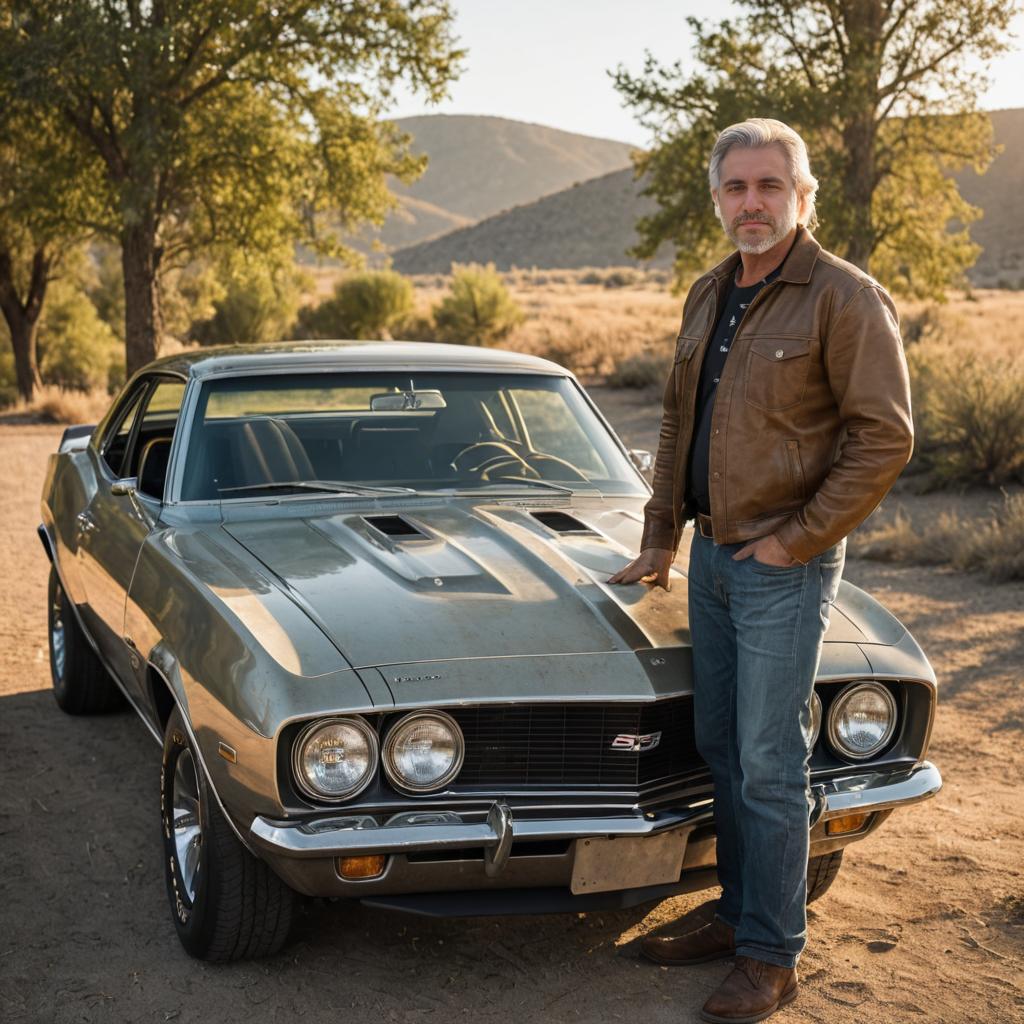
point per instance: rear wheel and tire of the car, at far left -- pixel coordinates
(81, 685)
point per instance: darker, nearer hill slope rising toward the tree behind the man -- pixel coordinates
(591, 225)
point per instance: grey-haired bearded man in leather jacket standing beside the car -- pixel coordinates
(787, 420)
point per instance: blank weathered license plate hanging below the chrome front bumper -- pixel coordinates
(606, 865)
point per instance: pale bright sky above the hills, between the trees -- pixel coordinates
(546, 62)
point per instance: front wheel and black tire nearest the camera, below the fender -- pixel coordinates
(227, 905)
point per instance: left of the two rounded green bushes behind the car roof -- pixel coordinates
(364, 306)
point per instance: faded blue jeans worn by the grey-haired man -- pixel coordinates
(757, 633)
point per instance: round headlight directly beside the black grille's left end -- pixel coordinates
(424, 751)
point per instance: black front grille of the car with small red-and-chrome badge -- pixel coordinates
(572, 744)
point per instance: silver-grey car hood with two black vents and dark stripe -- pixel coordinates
(449, 580)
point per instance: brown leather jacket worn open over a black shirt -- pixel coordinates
(813, 415)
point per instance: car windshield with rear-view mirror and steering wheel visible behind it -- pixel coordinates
(382, 432)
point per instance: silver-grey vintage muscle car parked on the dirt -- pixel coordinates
(359, 592)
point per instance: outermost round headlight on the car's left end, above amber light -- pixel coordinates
(336, 759)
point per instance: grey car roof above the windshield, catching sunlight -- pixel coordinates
(348, 355)
